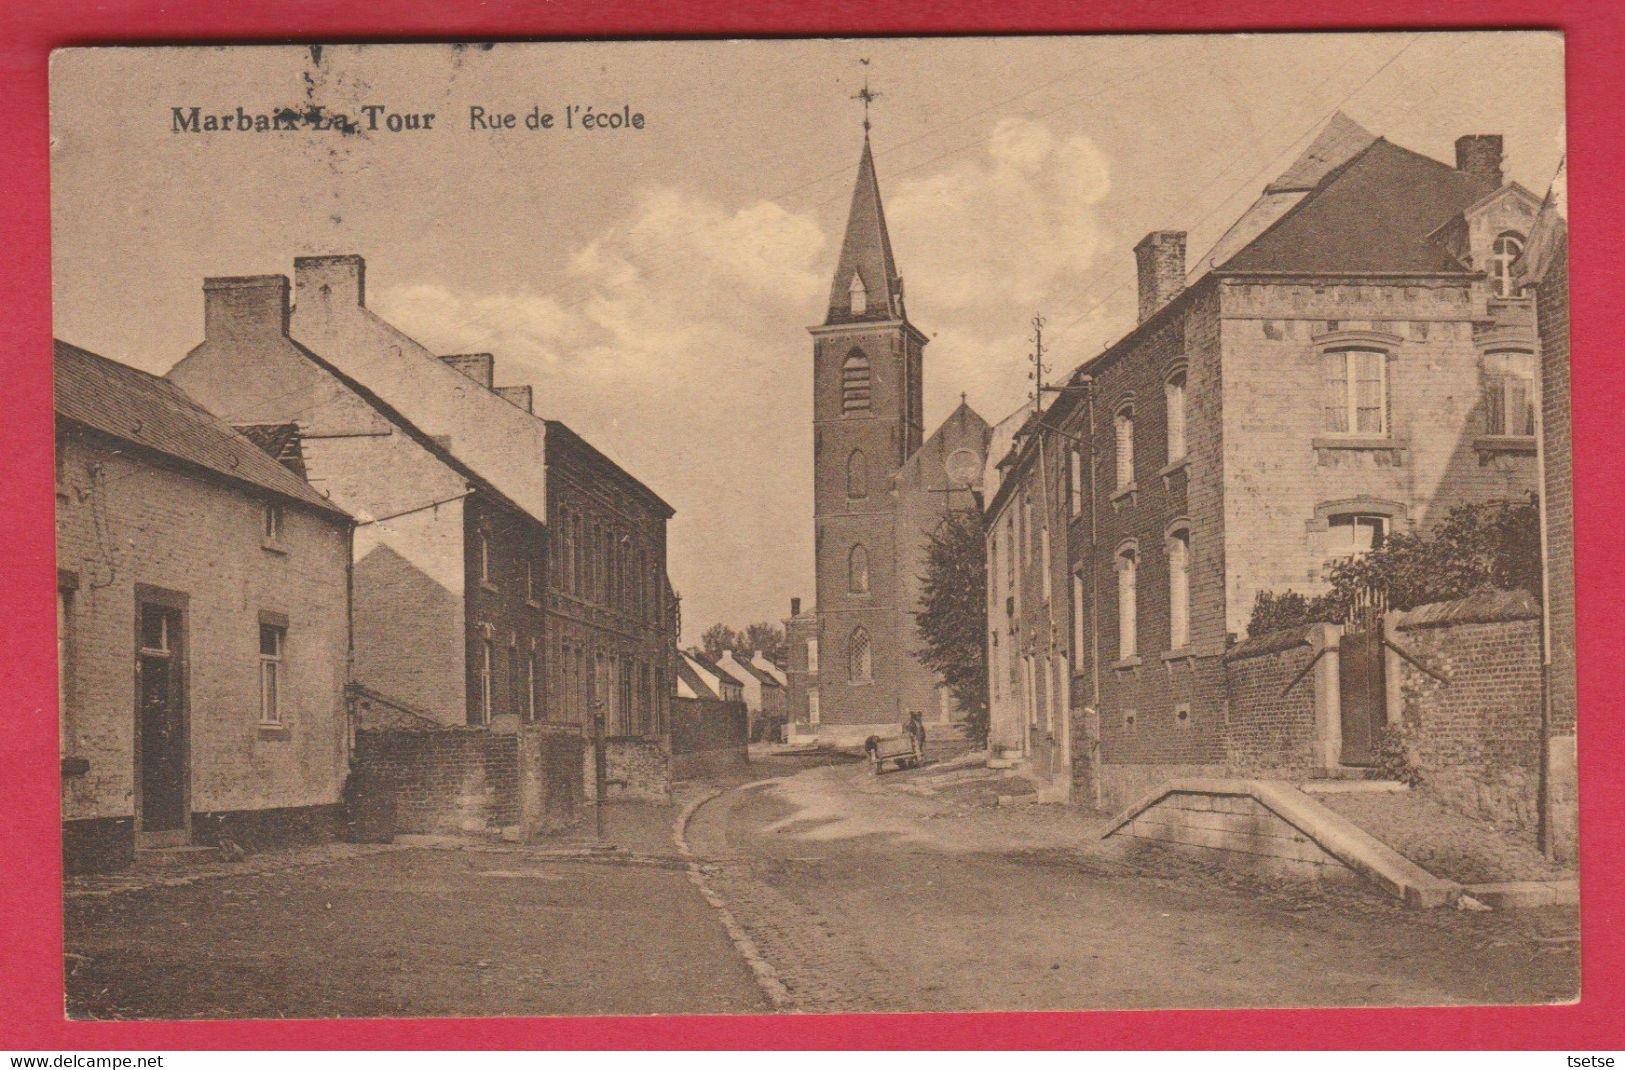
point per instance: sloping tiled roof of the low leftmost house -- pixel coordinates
(155, 414)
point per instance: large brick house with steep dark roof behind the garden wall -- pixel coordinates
(1351, 360)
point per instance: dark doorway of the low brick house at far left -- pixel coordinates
(163, 798)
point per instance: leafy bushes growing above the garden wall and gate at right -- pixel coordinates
(1475, 547)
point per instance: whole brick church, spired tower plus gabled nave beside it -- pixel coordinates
(880, 489)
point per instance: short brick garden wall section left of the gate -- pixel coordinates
(1272, 707)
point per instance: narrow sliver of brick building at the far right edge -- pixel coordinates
(1545, 267)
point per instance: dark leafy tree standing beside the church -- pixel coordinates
(953, 617)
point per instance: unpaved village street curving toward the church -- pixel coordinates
(909, 892)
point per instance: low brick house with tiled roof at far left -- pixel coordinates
(202, 624)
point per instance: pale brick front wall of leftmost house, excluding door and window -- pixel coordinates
(124, 523)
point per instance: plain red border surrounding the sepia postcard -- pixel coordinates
(32, 911)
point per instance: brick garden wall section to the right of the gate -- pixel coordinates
(1475, 741)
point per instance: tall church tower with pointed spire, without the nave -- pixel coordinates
(867, 422)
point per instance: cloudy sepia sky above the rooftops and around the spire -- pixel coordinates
(656, 285)
